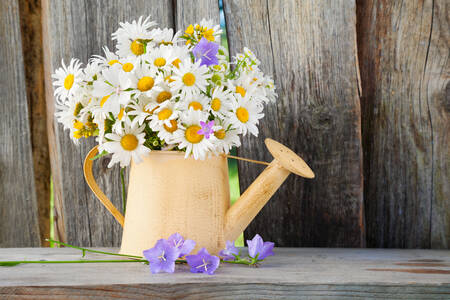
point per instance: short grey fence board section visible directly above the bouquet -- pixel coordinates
(193, 11)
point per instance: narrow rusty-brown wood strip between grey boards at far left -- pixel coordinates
(30, 21)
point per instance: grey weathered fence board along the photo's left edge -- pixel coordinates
(18, 208)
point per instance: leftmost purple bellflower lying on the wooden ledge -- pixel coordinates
(161, 257)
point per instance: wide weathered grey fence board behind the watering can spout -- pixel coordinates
(309, 49)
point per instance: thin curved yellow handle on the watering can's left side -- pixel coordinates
(87, 168)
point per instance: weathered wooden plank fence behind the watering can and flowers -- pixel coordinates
(364, 97)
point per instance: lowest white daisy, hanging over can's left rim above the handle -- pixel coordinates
(126, 146)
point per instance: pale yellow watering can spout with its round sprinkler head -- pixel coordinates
(265, 185)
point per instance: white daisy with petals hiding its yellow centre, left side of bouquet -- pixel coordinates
(113, 90)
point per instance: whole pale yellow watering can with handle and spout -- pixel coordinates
(168, 193)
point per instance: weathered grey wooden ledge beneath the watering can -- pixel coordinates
(293, 273)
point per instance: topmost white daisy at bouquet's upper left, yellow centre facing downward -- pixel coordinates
(132, 38)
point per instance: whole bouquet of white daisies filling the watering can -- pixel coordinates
(162, 90)
